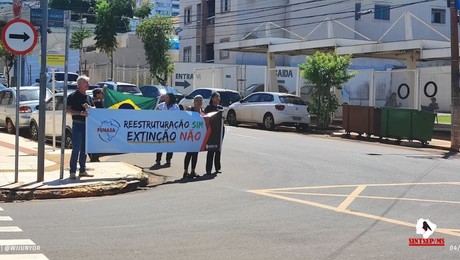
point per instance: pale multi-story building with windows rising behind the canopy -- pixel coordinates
(205, 23)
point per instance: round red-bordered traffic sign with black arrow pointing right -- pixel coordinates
(19, 36)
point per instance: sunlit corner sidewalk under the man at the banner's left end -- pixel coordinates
(109, 177)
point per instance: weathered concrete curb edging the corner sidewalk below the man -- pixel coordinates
(119, 186)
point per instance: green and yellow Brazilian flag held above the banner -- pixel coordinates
(117, 100)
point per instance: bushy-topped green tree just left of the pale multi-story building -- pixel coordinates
(155, 33)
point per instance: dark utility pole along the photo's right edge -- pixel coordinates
(455, 76)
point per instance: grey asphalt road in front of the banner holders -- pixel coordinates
(282, 195)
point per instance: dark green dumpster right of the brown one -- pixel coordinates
(404, 123)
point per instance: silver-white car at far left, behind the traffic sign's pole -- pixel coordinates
(28, 100)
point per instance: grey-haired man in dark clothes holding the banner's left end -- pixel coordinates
(77, 103)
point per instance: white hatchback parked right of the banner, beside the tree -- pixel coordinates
(270, 109)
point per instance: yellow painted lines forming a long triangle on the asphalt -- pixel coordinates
(277, 193)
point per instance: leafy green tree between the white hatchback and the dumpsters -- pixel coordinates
(325, 71)
